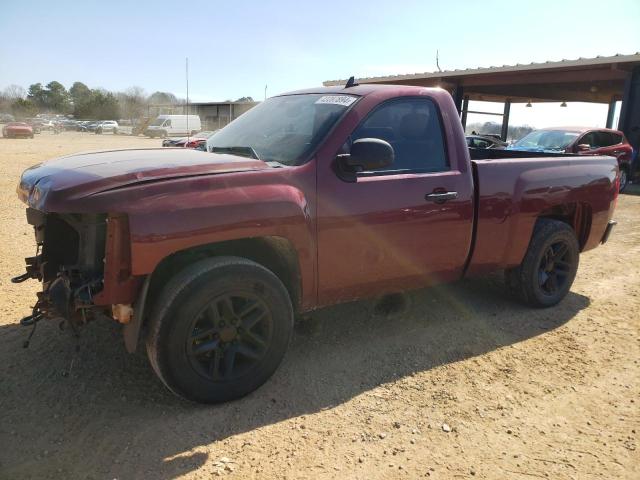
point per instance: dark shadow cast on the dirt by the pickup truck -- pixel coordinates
(102, 412)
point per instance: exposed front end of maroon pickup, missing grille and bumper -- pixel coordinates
(83, 262)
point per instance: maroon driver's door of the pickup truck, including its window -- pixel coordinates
(405, 226)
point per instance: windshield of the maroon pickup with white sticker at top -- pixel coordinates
(282, 129)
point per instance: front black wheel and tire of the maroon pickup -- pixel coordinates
(200, 309)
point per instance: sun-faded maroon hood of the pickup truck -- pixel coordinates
(85, 174)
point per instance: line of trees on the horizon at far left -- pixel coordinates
(80, 101)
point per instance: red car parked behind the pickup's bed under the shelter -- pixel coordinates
(583, 141)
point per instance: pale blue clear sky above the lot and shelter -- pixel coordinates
(237, 48)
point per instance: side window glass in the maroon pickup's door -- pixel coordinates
(412, 127)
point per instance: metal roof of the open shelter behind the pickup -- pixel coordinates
(597, 79)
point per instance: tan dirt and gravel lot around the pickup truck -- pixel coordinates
(525, 393)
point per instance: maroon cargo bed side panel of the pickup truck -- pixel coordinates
(511, 194)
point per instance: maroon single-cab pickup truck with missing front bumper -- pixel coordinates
(310, 199)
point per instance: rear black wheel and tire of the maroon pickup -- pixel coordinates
(549, 267)
